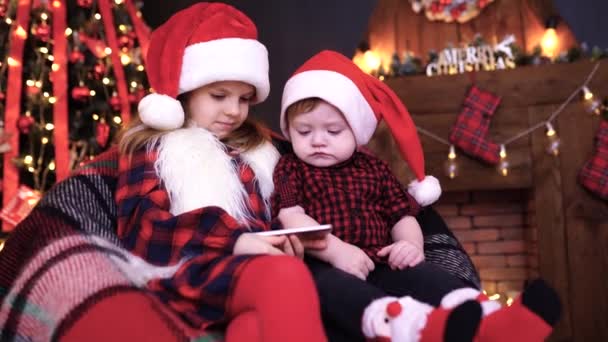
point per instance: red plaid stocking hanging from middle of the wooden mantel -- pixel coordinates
(471, 128)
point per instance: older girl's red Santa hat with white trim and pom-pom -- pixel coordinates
(202, 44)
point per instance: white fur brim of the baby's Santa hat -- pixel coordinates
(337, 90)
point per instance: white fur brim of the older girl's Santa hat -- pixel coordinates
(228, 59)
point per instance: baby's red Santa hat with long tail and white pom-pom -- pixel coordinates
(364, 100)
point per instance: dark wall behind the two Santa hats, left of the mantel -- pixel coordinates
(292, 31)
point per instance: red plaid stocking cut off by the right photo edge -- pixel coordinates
(594, 175)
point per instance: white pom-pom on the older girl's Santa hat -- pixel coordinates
(161, 112)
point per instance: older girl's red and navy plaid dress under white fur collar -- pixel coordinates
(203, 238)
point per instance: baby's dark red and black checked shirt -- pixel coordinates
(360, 197)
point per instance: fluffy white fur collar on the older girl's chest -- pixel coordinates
(197, 172)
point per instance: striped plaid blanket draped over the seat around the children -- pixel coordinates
(66, 254)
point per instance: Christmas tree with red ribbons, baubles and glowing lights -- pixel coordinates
(71, 73)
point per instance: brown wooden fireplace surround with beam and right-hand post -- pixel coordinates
(572, 225)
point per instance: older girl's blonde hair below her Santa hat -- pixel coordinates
(137, 135)
